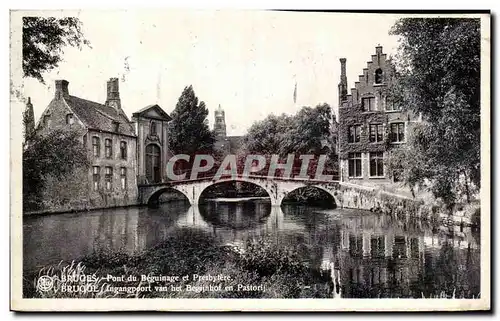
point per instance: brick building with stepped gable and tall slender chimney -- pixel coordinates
(370, 125)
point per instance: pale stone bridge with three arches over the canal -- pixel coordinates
(277, 188)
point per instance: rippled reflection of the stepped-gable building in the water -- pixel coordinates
(377, 258)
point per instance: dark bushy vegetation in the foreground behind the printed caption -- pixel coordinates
(272, 270)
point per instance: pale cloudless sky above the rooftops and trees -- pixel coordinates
(246, 61)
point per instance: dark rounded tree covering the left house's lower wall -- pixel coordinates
(53, 155)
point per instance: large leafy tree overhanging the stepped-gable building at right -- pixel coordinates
(438, 77)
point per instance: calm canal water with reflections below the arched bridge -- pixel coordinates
(375, 255)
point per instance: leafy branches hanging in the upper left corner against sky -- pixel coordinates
(44, 40)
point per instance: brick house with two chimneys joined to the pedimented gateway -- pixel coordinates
(117, 152)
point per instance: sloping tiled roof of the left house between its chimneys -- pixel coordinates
(100, 117)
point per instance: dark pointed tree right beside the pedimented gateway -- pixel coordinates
(189, 132)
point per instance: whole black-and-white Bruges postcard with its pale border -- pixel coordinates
(249, 160)
